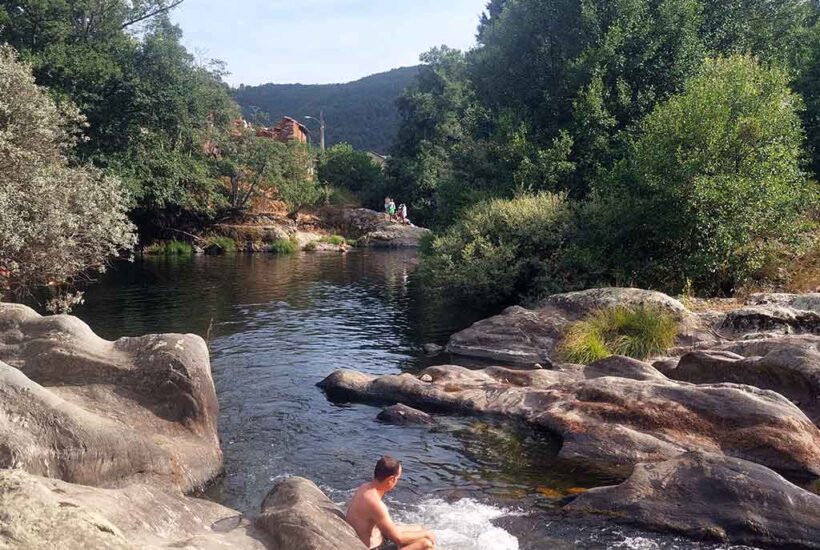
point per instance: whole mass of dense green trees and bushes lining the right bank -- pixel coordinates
(679, 172)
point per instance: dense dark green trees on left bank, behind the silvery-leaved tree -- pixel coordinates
(158, 119)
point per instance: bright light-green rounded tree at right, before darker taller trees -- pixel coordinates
(712, 182)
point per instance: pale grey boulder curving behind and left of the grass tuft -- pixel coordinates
(526, 336)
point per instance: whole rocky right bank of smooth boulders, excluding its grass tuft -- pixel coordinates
(705, 435)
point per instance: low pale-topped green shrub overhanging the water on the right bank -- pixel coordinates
(500, 248)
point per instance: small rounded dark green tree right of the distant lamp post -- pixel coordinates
(343, 166)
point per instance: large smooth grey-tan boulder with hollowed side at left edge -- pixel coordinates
(85, 410)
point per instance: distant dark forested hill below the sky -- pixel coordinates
(362, 113)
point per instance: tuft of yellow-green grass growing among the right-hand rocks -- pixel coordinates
(637, 333)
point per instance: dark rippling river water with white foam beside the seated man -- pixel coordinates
(278, 325)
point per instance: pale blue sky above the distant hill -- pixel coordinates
(322, 41)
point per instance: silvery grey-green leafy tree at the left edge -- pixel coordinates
(59, 219)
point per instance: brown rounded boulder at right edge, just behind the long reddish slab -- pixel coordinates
(791, 371)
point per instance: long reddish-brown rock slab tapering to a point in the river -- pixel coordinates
(610, 422)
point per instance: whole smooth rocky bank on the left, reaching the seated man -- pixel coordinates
(103, 443)
